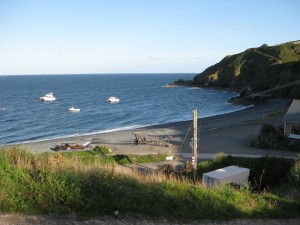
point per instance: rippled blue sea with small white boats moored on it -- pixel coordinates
(144, 101)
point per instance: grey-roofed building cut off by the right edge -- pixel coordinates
(292, 120)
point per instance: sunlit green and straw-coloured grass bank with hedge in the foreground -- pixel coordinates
(65, 183)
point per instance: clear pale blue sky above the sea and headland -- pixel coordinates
(137, 36)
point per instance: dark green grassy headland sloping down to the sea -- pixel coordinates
(260, 68)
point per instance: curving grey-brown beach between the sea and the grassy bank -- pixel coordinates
(228, 133)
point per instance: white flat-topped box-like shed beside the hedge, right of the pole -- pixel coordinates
(231, 174)
